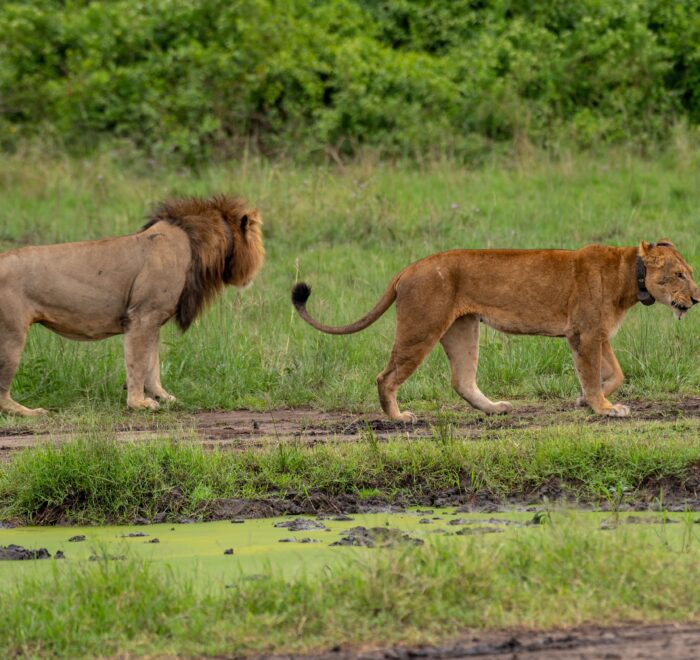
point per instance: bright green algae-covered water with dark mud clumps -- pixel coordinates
(261, 546)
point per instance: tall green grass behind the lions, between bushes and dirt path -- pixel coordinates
(347, 232)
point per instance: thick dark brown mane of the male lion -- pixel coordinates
(212, 226)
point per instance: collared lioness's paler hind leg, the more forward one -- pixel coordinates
(461, 343)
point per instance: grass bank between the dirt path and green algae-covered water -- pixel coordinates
(98, 480)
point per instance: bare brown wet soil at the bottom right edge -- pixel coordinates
(591, 643)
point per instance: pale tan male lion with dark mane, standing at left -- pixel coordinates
(172, 268)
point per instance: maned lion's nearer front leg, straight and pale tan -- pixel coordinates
(140, 341)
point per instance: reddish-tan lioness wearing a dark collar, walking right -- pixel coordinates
(582, 295)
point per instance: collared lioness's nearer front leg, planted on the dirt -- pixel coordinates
(587, 350)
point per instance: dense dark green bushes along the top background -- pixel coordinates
(198, 78)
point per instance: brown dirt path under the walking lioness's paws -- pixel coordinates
(245, 428)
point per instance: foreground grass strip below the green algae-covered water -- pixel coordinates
(563, 574)
